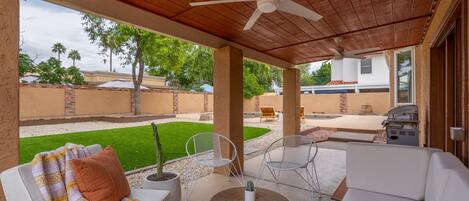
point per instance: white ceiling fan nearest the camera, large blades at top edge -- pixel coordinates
(268, 6)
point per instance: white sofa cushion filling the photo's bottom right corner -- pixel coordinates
(457, 186)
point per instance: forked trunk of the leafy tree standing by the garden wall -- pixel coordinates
(137, 80)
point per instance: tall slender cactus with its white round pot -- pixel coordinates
(162, 180)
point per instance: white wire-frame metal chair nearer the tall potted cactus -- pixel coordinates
(206, 149)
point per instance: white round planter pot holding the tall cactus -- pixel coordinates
(173, 185)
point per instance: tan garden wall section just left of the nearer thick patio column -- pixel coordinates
(190, 103)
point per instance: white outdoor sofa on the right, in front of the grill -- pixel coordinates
(404, 173)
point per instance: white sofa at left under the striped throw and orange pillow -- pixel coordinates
(19, 185)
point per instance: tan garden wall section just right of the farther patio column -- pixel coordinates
(323, 103)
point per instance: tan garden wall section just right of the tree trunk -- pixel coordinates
(157, 103)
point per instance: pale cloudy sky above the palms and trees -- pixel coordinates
(42, 24)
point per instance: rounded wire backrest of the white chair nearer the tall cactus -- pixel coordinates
(210, 146)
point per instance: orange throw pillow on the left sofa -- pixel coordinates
(101, 177)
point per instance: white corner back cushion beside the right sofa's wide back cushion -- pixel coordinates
(439, 169)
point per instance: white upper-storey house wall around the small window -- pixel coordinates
(379, 73)
